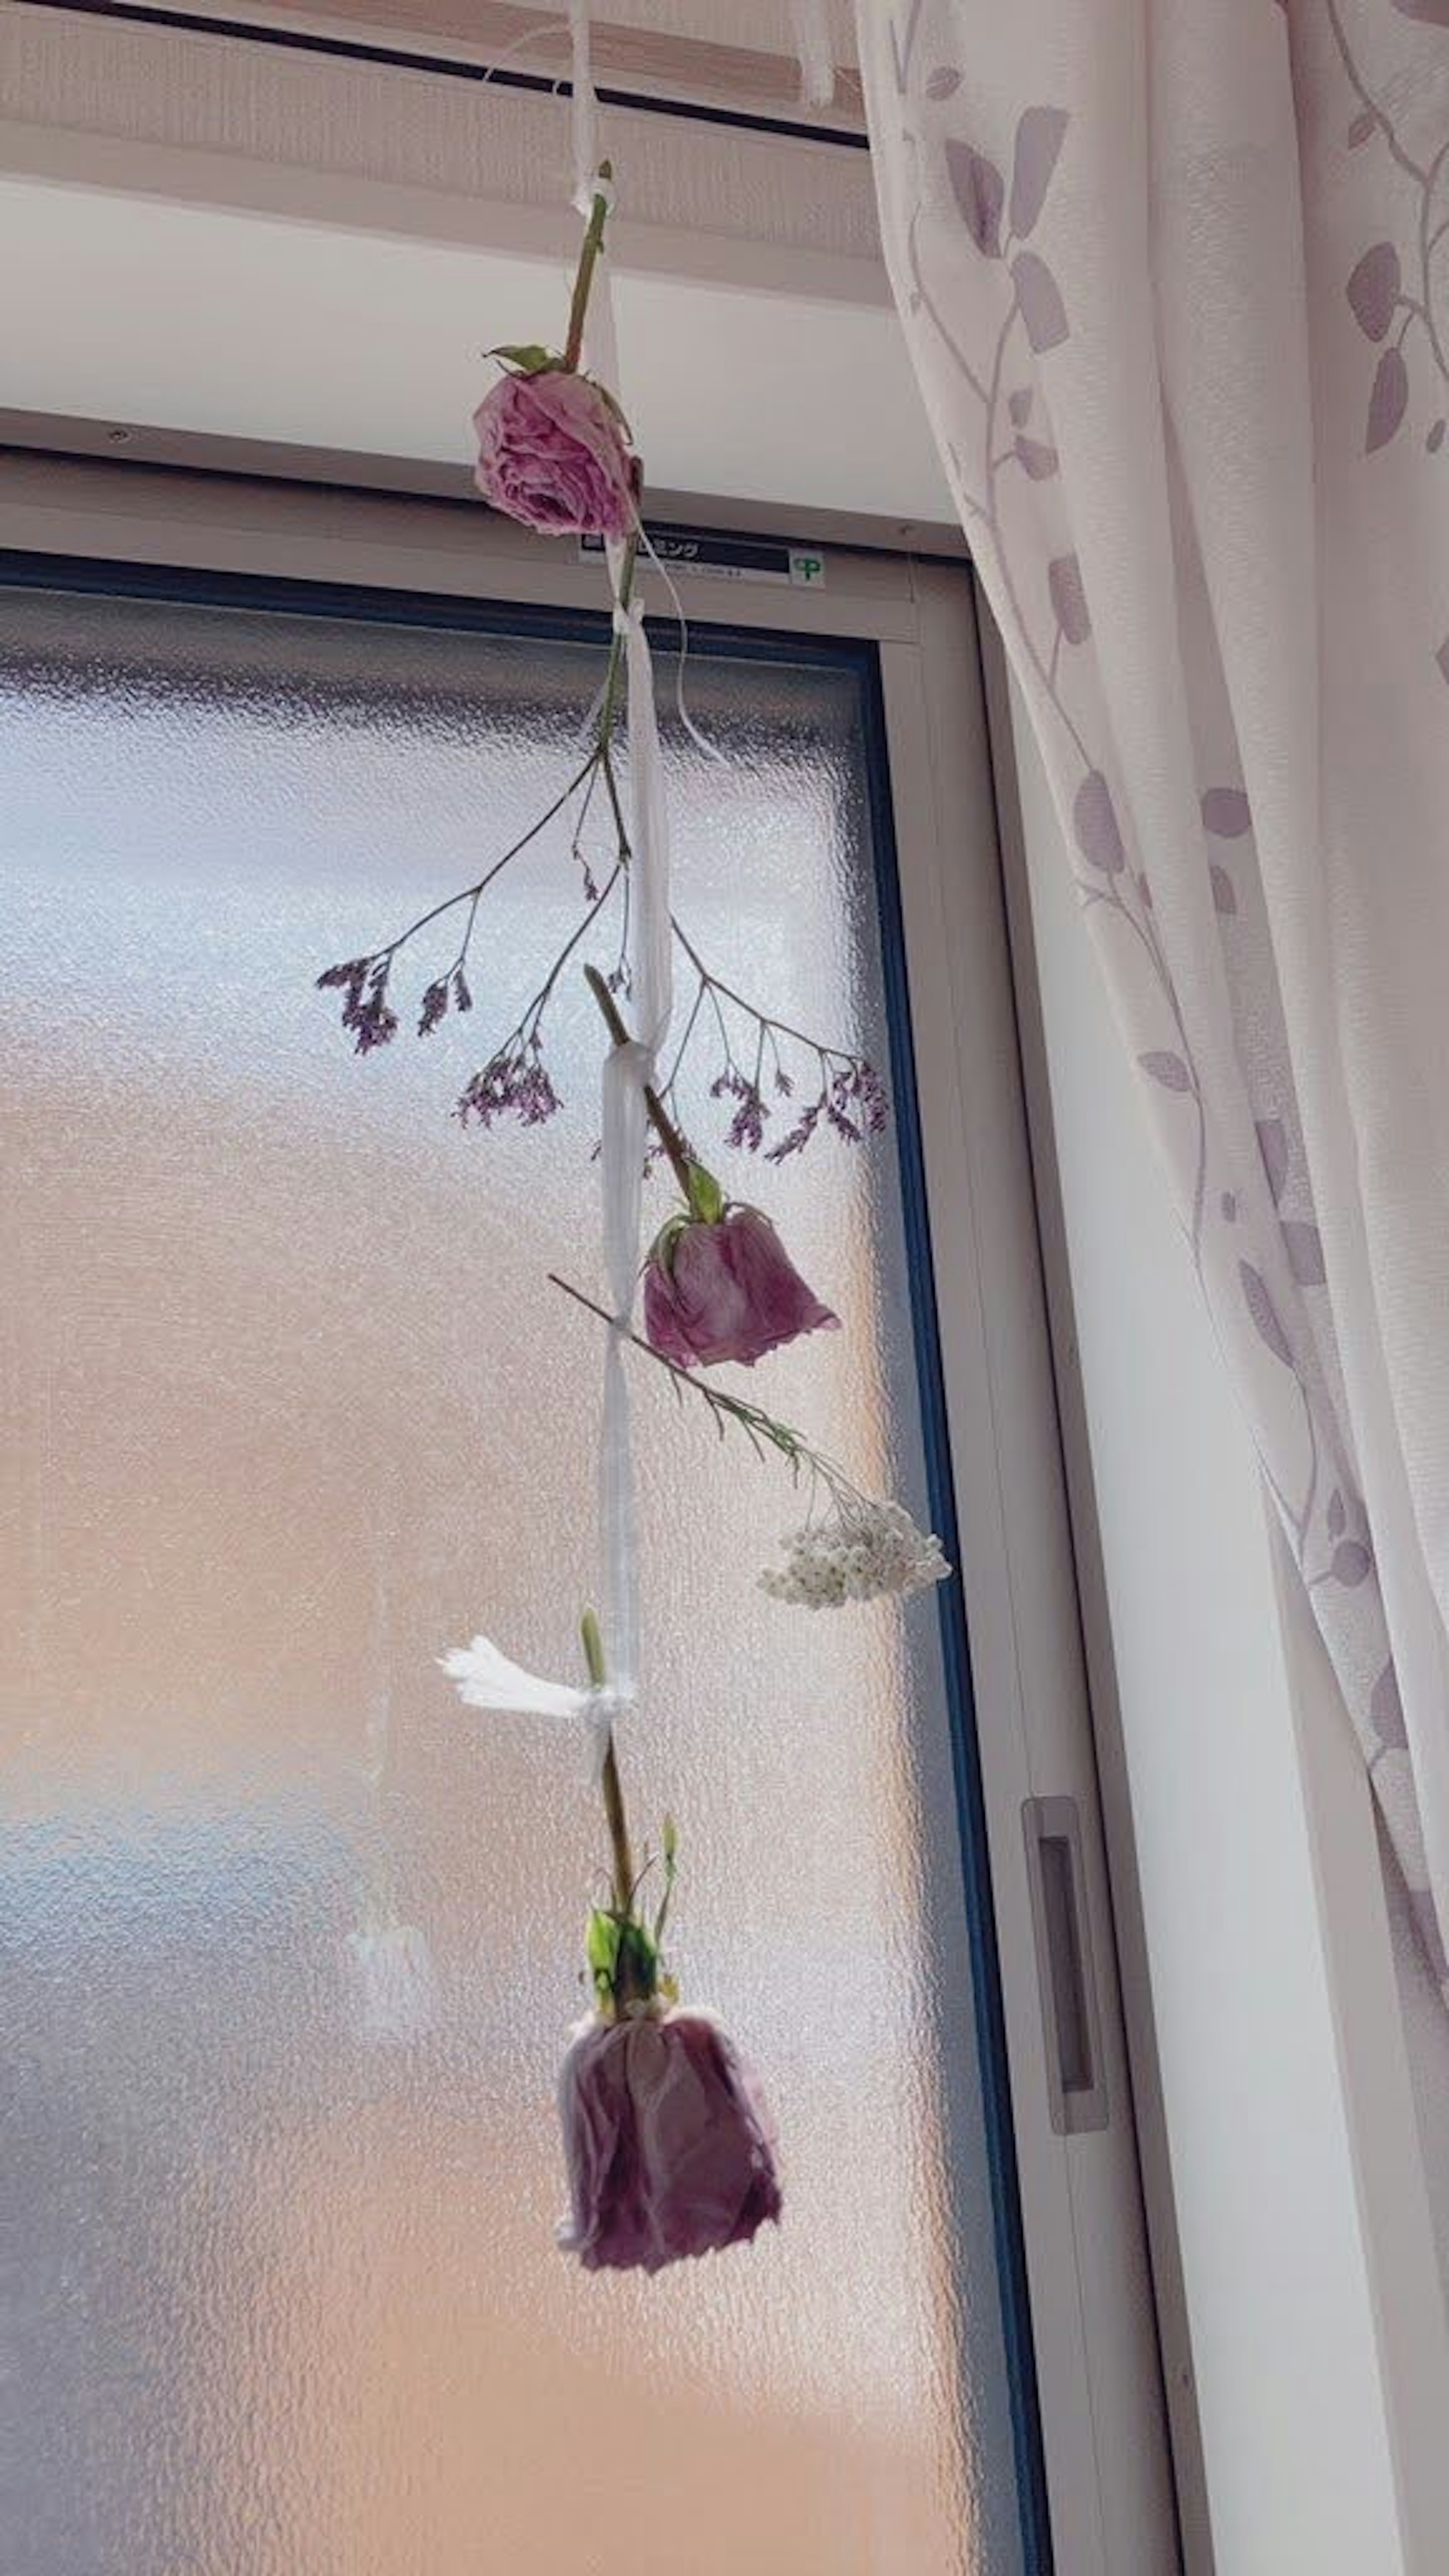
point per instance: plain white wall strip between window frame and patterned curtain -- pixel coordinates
(1293, 2160)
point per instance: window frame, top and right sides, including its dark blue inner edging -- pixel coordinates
(1071, 2232)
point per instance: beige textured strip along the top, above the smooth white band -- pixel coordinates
(210, 120)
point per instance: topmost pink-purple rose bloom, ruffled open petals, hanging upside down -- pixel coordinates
(553, 455)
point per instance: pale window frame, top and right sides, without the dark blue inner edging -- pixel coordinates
(1089, 2284)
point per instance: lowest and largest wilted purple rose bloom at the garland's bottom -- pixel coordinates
(666, 2139)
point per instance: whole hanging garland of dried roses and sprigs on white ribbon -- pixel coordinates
(666, 2139)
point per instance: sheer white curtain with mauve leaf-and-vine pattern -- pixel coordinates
(1177, 290)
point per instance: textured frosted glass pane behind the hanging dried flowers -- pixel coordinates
(290, 1410)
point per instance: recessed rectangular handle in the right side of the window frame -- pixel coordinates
(1066, 1975)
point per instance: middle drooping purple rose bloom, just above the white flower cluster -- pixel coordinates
(726, 1292)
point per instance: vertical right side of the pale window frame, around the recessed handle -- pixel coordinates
(1082, 2196)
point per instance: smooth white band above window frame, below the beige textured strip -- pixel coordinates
(197, 318)
